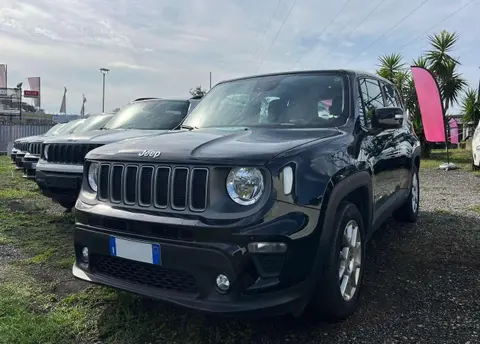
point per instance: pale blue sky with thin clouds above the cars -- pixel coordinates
(163, 48)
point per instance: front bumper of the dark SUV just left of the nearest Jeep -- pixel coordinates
(62, 183)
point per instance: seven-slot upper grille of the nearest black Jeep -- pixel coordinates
(162, 187)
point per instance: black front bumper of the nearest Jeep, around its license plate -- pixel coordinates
(261, 284)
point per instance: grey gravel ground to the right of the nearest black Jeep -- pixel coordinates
(422, 281)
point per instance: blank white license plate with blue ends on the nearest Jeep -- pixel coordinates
(135, 250)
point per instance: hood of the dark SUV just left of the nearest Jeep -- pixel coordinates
(103, 136)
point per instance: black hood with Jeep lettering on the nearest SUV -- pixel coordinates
(221, 146)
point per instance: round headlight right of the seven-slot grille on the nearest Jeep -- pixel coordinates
(245, 185)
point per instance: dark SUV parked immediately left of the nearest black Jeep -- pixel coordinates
(59, 171)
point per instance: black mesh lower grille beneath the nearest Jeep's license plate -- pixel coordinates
(145, 274)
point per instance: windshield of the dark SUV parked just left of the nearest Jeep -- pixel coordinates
(150, 115)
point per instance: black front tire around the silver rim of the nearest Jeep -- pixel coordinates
(327, 301)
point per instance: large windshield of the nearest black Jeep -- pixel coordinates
(294, 100)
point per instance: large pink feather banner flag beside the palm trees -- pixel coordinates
(430, 103)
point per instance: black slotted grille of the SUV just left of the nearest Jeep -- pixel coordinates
(68, 153)
